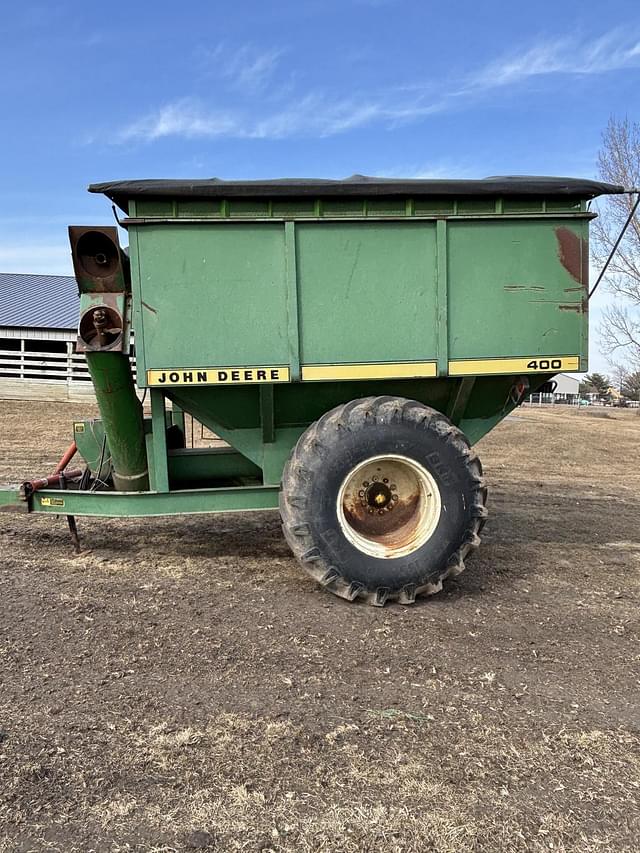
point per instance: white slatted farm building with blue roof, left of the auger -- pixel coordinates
(38, 319)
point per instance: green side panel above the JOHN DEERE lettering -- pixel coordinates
(212, 295)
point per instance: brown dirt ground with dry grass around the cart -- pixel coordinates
(182, 685)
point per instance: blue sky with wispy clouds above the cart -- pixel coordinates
(98, 91)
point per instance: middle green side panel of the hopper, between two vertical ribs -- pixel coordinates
(367, 291)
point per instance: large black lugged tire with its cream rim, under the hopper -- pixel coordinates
(382, 499)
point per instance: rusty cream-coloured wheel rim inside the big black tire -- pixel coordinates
(389, 506)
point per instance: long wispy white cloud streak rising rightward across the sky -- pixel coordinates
(319, 114)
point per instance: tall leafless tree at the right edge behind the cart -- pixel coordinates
(619, 163)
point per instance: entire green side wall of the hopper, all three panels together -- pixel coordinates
(471, 283)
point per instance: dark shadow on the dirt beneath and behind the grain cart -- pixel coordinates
(519, 526)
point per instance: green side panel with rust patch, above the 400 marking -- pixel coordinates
(510, 294)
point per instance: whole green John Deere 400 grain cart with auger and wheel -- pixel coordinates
(350, 341)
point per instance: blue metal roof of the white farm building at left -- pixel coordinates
(39, 301)
